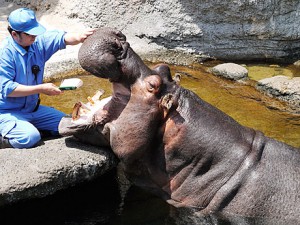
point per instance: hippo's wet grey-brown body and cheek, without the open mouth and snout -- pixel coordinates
(196, 156)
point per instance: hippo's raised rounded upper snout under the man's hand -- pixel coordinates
(107, 54)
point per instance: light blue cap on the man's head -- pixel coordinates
(24, 20)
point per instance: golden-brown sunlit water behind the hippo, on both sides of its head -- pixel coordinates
(241, 101)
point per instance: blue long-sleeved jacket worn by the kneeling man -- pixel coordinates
(16, 68)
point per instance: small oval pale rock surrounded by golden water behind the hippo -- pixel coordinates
(231, 71)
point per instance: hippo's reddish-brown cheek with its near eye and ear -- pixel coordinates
(140, 120)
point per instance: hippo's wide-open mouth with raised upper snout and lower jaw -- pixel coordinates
(108, 55)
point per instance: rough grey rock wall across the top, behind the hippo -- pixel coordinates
(225, 29)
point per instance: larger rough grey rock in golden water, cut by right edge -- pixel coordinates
(283, 88)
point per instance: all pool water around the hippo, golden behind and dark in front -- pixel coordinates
(106, 200)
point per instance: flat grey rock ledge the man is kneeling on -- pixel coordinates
(54, 165)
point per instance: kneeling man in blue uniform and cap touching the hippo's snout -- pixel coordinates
(22, 60)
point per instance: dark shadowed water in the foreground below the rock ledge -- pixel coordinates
(100, 202)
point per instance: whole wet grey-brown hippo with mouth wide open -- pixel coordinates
(180, 147)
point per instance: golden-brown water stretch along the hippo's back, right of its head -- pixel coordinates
(244, 103)
